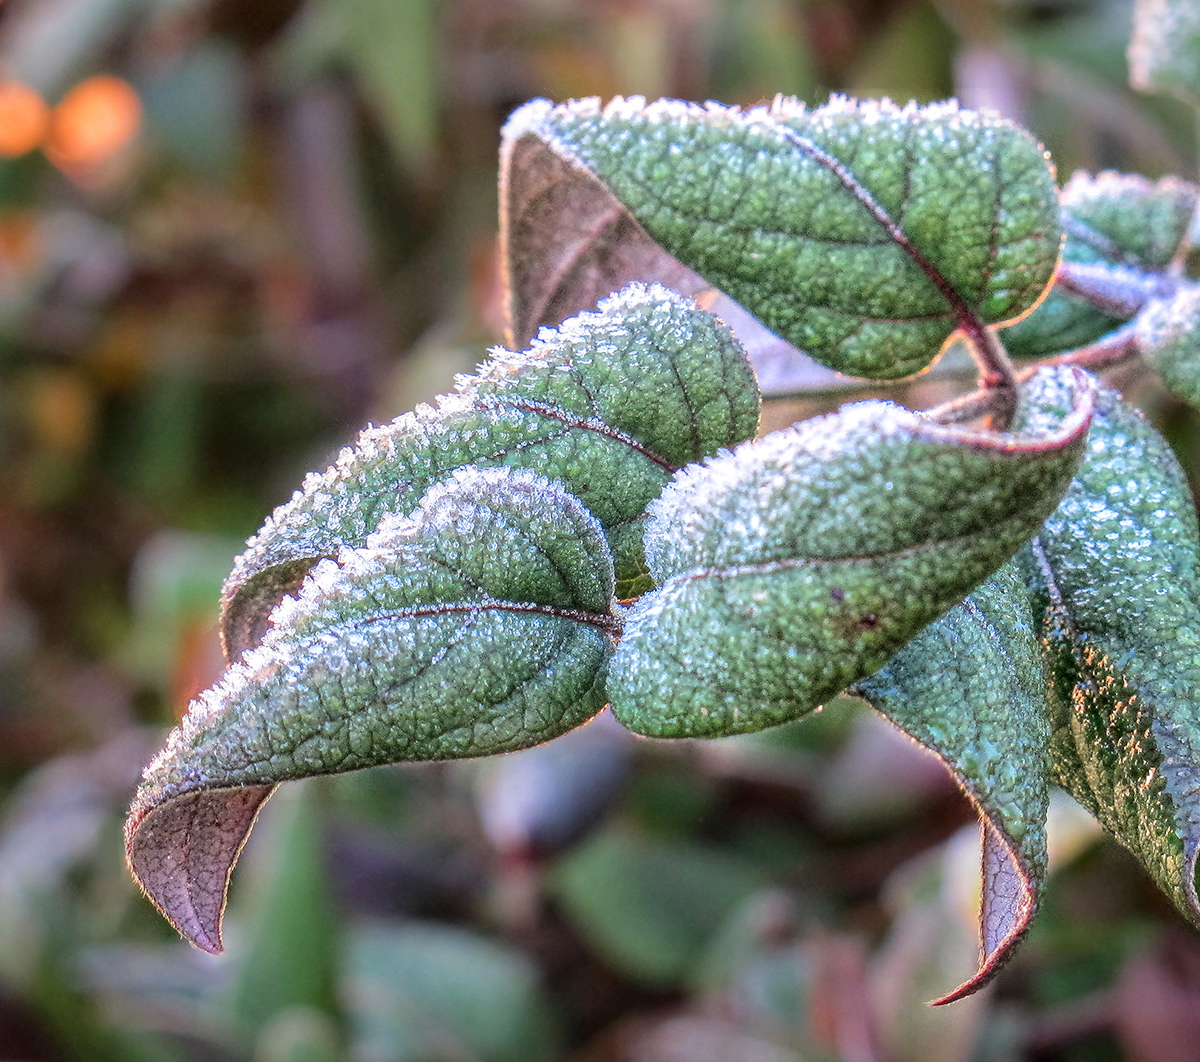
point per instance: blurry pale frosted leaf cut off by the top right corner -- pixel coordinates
(1165, 51)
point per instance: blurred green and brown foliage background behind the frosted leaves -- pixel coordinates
(232, 232)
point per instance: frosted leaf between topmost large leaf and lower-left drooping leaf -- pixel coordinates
(611, 405)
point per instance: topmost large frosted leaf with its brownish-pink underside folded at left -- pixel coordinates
(831, 226)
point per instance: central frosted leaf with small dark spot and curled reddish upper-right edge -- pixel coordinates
(800, 563)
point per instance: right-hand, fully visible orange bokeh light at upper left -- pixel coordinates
(97, 121)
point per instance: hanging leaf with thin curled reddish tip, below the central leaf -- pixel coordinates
(971, 689)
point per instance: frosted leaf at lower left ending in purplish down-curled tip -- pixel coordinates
(482, 623)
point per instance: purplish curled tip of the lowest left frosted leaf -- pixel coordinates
(183, 850)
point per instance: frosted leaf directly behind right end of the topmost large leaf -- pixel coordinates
(1118, 223)
